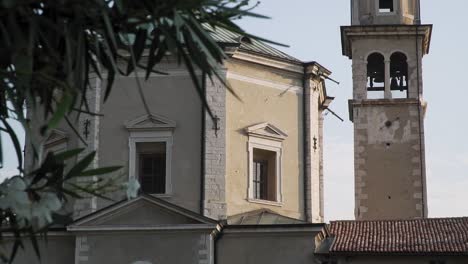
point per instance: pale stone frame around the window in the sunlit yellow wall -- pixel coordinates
(269, 145)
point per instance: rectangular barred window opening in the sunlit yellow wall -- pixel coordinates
(264, 175)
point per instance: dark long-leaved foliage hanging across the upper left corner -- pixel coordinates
(51, 49)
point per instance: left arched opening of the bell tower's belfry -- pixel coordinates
(375, 76)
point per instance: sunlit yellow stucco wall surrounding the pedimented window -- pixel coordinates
(260, 103)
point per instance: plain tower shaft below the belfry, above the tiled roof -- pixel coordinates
(389, 174)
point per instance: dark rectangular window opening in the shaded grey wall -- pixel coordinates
(152, 167)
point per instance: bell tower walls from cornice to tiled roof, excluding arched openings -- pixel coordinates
(389, 154)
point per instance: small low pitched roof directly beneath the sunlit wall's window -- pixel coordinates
(261, 217)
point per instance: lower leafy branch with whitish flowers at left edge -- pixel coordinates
(29, 205)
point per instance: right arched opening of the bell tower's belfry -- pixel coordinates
(399, 75)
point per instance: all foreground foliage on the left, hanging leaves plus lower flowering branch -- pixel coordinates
(51, 50)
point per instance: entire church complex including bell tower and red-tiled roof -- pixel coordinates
(245, 184)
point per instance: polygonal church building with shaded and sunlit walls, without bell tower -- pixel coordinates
(257, 161)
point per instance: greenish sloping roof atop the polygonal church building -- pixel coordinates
(250, 45)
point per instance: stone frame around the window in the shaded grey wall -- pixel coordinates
(151, 137)
